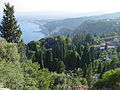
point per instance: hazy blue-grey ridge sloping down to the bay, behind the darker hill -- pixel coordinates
(62, 27)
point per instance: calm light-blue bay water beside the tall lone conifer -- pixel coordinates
(30, 31)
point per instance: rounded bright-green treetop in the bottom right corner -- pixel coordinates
(110, 79)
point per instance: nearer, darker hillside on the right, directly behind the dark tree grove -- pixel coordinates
(99, 26)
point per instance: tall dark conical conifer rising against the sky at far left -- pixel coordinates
(9, 28)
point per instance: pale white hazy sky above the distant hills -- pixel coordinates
(64, 6)
